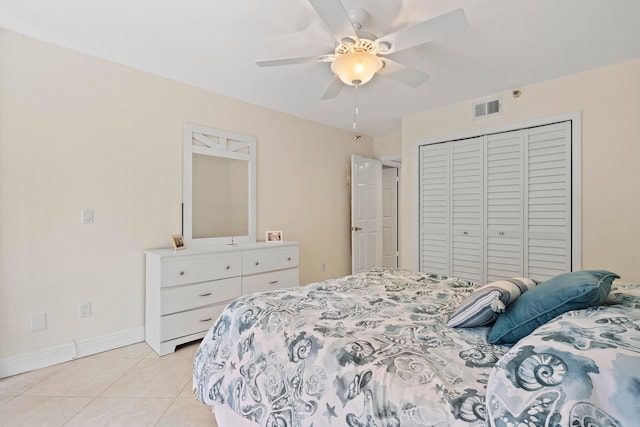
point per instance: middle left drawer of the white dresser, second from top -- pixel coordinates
(186, 297)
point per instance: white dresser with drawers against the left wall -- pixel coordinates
(187, 290)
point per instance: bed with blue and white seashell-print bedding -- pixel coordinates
(375, 349)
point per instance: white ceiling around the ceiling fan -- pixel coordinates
(213, 45)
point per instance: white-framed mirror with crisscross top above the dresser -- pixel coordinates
(218, 187)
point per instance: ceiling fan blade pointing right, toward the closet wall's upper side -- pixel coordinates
(433, 29)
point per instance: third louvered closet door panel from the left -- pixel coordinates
(504, 205)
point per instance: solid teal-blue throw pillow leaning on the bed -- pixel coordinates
(569, 291)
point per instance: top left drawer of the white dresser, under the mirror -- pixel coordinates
(200, 269)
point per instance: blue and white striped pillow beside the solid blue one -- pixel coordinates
(483, 306)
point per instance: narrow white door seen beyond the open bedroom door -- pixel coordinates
(390, 217)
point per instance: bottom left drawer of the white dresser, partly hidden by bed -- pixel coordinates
(189, 322)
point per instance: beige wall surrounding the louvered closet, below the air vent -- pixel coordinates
(609, 101)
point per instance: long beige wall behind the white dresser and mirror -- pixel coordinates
(78, 132)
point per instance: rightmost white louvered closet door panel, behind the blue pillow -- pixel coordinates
(548, 201)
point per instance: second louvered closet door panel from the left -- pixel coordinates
(467, 206)
